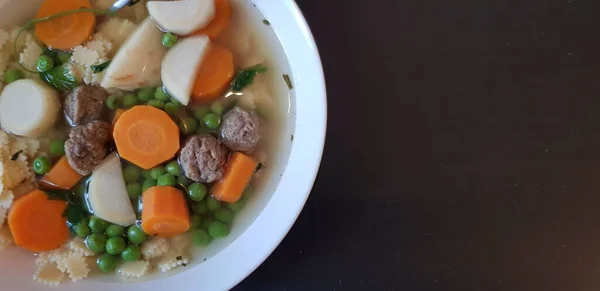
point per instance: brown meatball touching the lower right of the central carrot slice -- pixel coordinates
(203, 158)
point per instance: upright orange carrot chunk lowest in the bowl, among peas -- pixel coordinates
(165, 212)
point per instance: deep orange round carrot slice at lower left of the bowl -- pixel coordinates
(37, 223)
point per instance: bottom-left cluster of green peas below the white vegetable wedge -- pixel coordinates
(111, 241)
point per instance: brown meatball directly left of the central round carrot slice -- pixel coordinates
(87, 146)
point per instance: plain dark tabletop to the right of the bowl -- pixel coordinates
(463, 149)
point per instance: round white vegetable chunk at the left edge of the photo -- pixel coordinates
(28, 108)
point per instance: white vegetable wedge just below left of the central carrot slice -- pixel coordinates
(107, 193)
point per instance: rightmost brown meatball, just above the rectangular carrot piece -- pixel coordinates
(240, 130)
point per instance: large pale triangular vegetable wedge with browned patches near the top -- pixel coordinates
(137, 63)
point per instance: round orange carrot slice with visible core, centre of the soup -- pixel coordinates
(146, 136)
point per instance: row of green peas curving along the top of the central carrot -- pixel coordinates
(205, 118)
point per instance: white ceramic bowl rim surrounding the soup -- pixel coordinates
(269, 218)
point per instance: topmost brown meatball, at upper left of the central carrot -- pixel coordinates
(84, 104)
